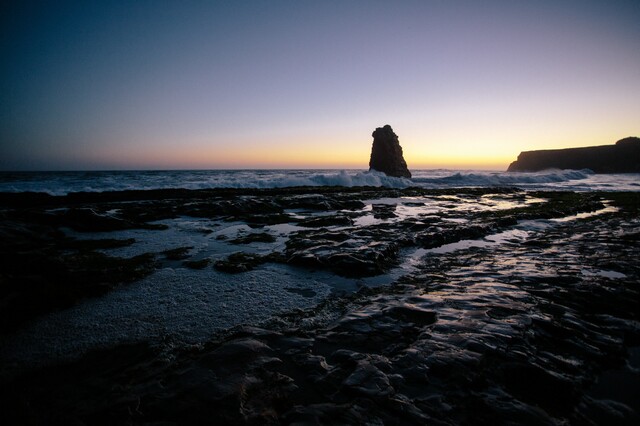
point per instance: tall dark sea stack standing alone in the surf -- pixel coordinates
(386, 153)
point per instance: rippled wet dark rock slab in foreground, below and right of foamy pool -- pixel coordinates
(541, 332)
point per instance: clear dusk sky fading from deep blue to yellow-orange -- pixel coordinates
(94, 85)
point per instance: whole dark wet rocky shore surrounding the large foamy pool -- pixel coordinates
(518, 307)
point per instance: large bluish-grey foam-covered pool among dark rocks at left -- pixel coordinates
(180, 305)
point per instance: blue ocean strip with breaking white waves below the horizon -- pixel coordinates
(60, 183)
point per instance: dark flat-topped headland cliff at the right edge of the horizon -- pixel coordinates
(623, 157)
